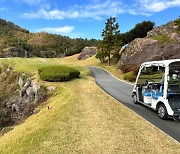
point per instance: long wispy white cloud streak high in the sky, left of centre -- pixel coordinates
(92, 11)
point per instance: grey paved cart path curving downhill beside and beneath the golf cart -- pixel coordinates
(121, 91)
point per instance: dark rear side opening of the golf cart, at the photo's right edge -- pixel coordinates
(174, 79)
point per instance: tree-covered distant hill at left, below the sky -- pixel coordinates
(14, 39)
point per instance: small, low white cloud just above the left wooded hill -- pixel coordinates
(57, 30)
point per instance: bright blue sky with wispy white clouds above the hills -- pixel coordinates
(86, 18)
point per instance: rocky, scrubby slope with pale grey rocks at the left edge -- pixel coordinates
(20, 95)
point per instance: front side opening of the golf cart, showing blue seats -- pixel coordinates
(150, 83)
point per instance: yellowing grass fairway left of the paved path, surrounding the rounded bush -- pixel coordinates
(82, 119)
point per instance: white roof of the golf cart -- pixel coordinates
(160, 63)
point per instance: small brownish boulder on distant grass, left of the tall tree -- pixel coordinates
(87, 52)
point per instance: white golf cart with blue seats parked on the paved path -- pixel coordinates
(158, 87)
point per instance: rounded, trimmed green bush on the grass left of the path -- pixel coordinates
(57, 73)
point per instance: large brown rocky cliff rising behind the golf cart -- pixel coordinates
(161, 43)
